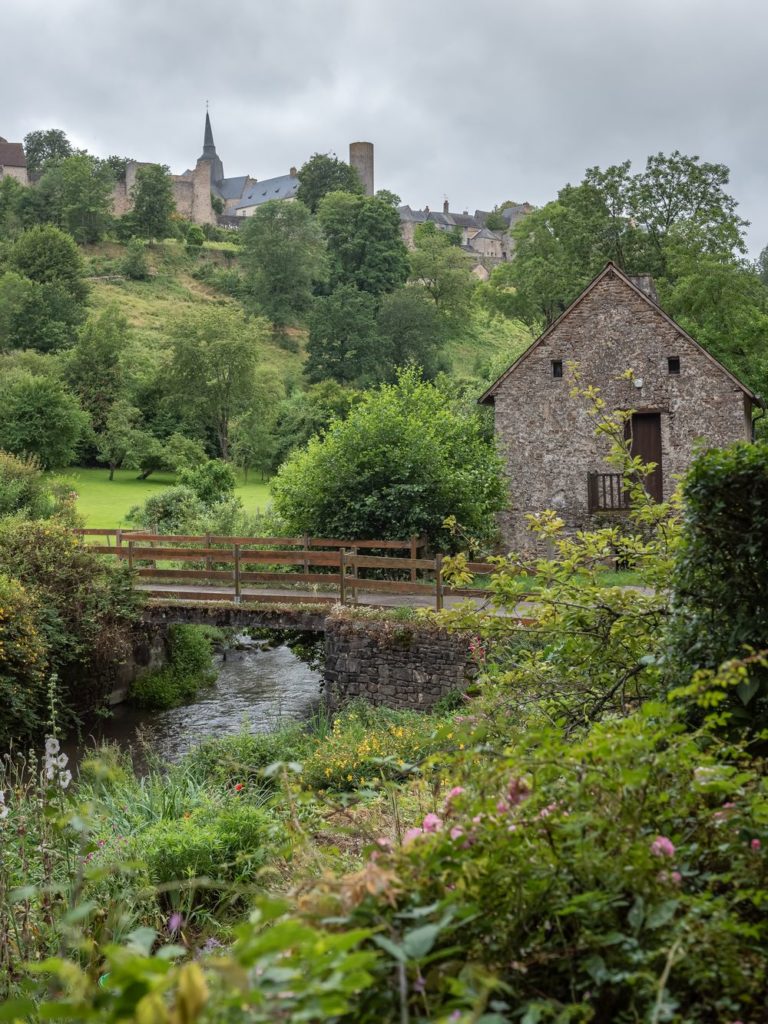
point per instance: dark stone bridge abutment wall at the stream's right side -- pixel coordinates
(400, 665)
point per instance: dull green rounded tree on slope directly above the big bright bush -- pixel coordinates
(411, 331)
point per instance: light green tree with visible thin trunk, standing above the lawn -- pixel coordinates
(212, 370)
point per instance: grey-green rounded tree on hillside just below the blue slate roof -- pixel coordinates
(284, 255)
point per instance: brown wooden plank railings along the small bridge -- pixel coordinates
(226, 567)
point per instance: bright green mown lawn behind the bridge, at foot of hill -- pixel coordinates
(105, 503)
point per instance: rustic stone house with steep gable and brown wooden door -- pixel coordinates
(679, 395)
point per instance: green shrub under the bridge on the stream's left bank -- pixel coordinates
(189, 669)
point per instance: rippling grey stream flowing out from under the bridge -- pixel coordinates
(259, 690)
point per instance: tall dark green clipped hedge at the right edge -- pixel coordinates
(720, 584)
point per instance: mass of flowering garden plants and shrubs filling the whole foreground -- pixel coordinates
(585, 839)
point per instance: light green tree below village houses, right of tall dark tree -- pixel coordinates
(445, 273)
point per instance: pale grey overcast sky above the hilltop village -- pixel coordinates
(477, 102)
